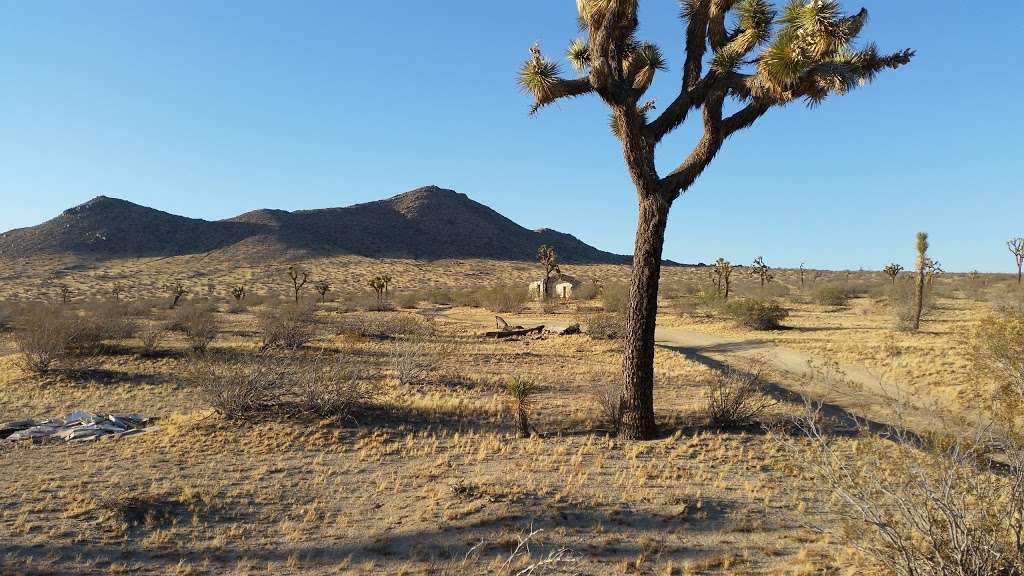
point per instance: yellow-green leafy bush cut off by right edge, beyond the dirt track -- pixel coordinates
(997, 352)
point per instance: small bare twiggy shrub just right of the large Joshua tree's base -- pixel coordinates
(736, 399)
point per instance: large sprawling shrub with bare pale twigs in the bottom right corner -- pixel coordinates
(916, 508)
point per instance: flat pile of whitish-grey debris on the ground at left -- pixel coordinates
(77, 427)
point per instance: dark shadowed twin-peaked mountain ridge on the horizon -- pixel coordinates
(426, 224)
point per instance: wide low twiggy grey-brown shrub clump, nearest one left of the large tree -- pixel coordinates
(267, 387)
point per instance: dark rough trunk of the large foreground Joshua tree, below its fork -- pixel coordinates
(638, 364)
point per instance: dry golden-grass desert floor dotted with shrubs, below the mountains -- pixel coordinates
(334, 436)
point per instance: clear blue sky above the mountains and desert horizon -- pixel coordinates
(212, 109)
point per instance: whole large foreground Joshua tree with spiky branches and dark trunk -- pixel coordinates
(810, 56)
